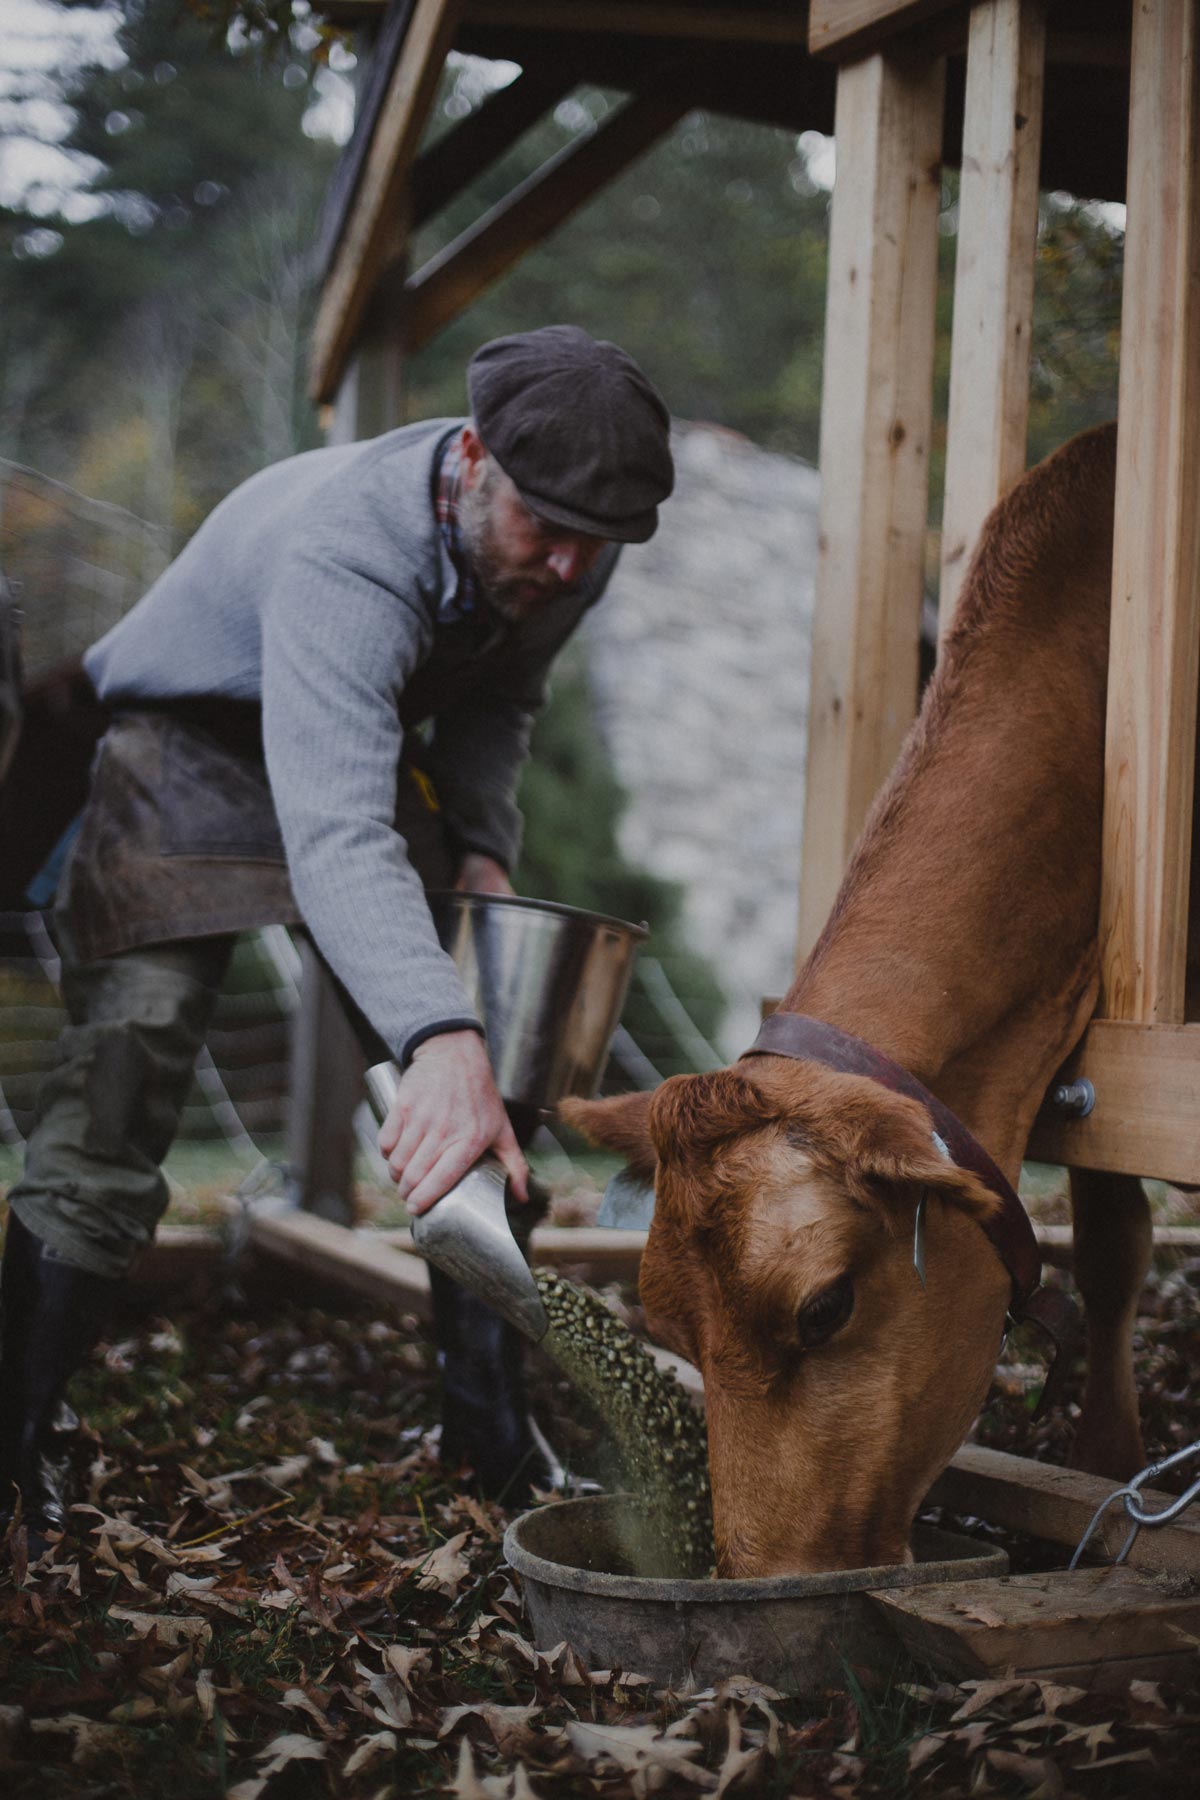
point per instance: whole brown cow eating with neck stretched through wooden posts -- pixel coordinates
(962, 946)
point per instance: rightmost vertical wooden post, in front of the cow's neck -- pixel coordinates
(1156, 584)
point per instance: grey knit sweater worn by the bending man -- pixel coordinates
(323, 588)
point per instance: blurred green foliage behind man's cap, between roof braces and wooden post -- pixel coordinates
(706, 260)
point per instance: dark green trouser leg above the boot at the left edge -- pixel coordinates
(109, 1111)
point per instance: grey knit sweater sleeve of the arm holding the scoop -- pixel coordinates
(343, 633)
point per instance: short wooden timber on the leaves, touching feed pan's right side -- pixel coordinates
(985, 1628)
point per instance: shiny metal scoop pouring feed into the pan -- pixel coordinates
(469, 1236)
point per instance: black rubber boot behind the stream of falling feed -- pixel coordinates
(487, 1421)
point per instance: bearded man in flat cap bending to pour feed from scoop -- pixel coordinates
(319, 708)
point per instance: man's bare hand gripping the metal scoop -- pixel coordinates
(445, 1115)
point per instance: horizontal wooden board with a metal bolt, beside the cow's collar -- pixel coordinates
(1145, 1122)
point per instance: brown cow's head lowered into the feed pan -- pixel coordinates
(780, 1261)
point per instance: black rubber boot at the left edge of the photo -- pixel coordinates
(51, 1315)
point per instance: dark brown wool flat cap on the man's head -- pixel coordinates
(578, 429)
